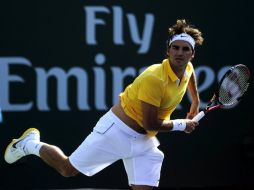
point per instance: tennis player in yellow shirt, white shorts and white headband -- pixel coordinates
(128, 130)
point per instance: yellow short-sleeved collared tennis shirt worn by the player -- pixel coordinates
(157, 85)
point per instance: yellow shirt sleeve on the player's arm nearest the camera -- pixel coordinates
(151, 90)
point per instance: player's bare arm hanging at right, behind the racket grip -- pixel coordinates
(195, 101)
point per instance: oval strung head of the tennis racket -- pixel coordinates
(234, 85)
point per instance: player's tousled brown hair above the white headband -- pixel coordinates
(182, 26)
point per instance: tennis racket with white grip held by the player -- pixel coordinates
(230, 90)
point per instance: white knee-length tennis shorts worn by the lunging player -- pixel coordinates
(112, 140)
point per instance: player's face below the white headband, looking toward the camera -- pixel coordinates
(180, 53)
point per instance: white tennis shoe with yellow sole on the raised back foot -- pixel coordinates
(17, 148)
